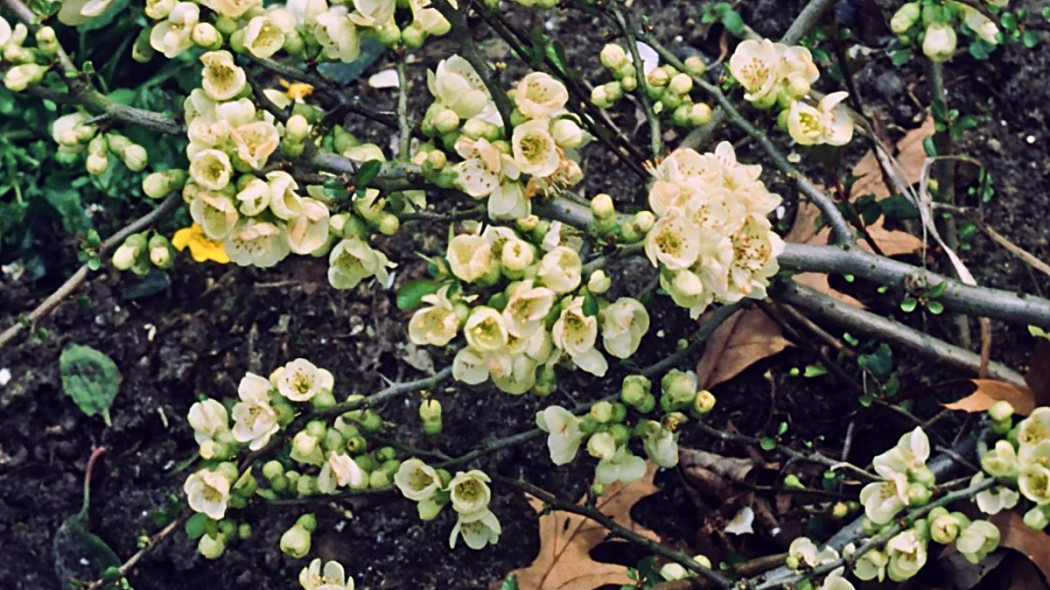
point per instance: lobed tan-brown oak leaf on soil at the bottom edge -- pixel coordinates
(566, 540)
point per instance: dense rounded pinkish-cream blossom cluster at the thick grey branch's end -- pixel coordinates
(712, 241)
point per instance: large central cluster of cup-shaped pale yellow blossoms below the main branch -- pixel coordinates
(540, 313)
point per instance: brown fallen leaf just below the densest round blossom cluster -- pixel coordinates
(746, 339)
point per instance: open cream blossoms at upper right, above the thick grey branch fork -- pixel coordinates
(778, 76)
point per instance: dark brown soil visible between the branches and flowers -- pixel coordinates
(215, 324)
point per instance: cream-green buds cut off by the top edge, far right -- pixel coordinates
(933, 25)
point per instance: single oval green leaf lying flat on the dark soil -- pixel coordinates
(91, 378)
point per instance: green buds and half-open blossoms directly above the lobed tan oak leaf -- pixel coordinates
(608, 428)
